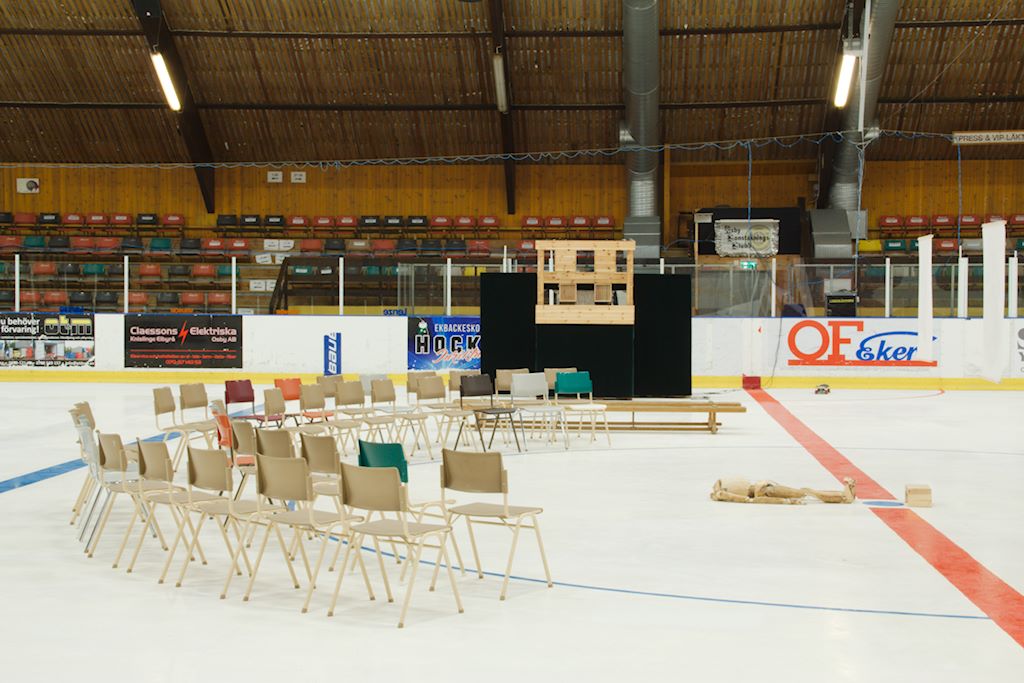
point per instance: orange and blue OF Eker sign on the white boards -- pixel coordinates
(836, 344)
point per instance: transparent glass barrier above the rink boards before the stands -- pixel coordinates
(398, 286)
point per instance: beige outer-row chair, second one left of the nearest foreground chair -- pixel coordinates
(210, 486)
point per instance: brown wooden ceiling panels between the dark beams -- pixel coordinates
(317, 80)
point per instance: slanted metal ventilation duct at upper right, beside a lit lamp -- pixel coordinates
(843, 194)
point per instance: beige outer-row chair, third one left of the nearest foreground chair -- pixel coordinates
(155, 468)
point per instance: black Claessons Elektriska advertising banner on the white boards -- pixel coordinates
(183, 341)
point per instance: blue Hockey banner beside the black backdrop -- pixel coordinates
(445, 343)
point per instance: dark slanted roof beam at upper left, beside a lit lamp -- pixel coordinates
(158, 34)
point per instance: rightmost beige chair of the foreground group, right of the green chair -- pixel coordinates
(485, 474)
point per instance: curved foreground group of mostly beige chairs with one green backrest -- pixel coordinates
(289, 485)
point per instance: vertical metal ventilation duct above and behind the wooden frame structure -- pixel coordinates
(642, 74)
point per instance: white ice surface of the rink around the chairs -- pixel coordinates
(653, 578)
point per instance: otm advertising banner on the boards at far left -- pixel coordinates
(48, 340)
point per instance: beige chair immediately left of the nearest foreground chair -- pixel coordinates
(289, 480)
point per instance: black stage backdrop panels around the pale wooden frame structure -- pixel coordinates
(651, 359)
